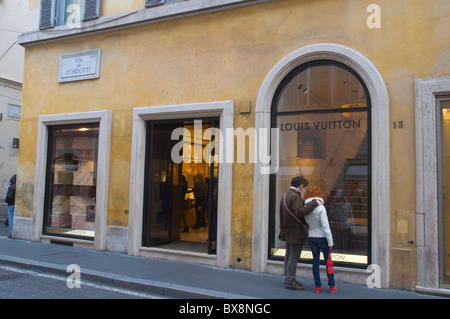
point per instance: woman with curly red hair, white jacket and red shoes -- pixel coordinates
(319, 236)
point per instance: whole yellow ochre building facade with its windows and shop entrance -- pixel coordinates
(172, 129)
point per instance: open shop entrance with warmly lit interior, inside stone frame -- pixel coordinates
(180, 202)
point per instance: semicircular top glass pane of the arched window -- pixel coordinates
(321, 86)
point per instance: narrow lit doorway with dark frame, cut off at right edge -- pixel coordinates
(444, 190)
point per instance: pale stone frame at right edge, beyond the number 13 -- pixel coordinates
(427, 93)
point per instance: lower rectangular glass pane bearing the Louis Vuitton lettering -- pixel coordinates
(332, 152)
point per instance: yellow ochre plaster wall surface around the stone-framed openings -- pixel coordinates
(226, 56)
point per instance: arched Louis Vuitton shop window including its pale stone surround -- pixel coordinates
(328, 114)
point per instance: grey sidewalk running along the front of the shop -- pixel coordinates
(174, 279)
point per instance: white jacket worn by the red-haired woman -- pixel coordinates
(318, 222)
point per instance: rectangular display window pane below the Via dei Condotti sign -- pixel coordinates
(71, 181)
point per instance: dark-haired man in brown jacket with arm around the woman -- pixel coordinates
(292, 230)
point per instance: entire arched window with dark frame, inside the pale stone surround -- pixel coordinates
(322, 111)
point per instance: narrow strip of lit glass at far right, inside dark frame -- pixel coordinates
(446, 189)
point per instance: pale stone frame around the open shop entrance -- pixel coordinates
(222, 109)
